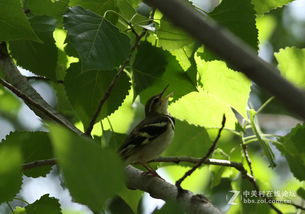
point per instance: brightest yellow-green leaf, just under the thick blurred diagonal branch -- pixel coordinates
(228, 86)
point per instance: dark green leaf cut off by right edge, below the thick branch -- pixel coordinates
(292, 147)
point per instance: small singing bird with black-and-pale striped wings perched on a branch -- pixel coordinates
(152, 135)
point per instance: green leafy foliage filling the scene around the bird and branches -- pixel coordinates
(125, 52)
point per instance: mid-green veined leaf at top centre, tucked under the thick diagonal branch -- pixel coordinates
(170, 37)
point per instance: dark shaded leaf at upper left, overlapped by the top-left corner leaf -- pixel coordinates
(39, 58)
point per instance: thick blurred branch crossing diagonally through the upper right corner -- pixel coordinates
(234, 51)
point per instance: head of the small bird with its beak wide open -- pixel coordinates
(157, 104)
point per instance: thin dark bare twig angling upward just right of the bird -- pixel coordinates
(202, 160)
